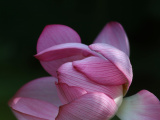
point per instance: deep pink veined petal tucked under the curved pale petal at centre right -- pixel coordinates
(101, 71)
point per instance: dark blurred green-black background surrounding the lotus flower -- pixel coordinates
(21, 23)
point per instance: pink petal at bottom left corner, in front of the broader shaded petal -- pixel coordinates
(28, 107)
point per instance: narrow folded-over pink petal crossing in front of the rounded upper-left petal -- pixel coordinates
(63, 51)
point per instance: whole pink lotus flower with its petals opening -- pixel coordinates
(86, 83)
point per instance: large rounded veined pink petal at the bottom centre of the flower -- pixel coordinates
(91, 106)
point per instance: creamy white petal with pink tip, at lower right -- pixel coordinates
(141, 106)
